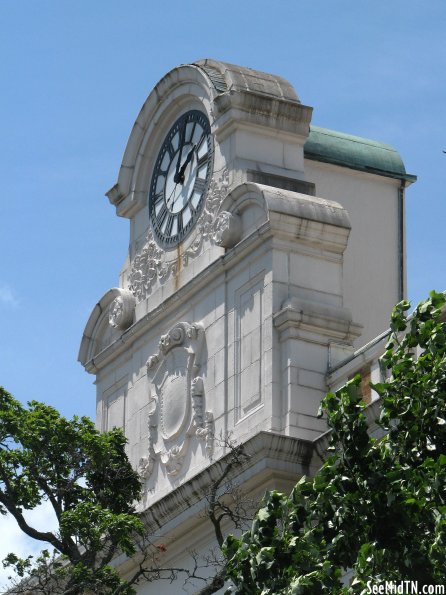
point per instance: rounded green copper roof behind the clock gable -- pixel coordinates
(355, 152)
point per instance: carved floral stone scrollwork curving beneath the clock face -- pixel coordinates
(151, 263)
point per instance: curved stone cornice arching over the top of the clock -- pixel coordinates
(239, 91)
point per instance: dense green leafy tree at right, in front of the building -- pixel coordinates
(377, 507)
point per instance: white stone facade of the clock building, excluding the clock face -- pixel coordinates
(234, 330)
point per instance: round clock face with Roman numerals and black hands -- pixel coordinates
(181, 178)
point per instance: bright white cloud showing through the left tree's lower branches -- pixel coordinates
(14, 540)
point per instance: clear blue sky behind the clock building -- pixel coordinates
(74, 76)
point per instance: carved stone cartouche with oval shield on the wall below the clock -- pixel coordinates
(176, 407)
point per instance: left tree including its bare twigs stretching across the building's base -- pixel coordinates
(89, 482)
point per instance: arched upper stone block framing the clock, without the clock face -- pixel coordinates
(258, 129)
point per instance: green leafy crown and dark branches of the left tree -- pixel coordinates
(86, 477)
